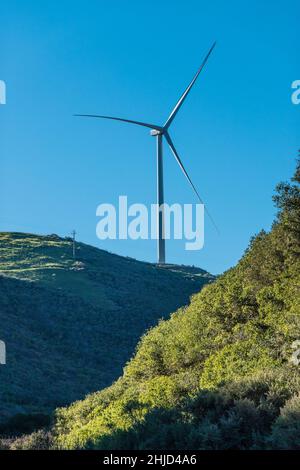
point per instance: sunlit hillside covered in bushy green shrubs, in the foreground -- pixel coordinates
(218, 374)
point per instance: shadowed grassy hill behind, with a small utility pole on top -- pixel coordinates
(70, 326)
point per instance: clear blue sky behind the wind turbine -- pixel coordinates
(237, 133)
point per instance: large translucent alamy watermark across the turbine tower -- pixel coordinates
(180, 222)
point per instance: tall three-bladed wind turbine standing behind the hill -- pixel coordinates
(159, 132)
